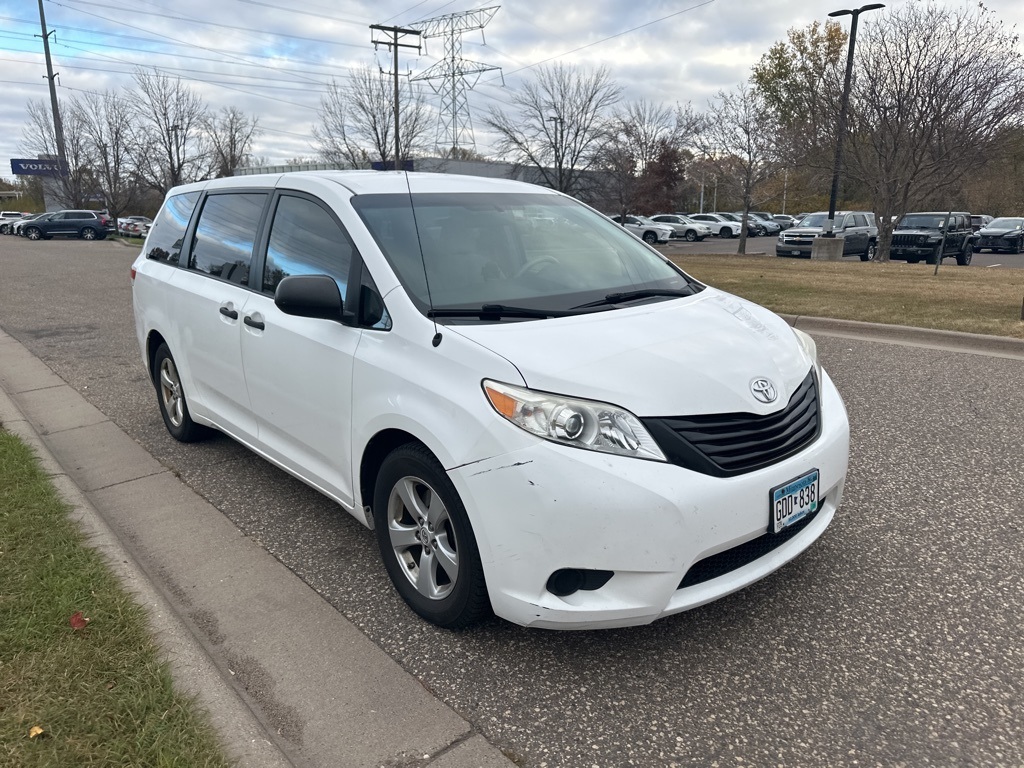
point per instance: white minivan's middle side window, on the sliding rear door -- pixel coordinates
(226, 235)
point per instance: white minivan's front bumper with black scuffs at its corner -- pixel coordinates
(549, 507)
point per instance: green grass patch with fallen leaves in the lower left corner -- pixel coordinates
(101, 695)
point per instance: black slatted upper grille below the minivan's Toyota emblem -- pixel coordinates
(729, 445)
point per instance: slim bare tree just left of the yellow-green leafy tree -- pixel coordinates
(740, 140)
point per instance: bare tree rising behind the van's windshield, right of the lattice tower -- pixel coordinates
(560, 125)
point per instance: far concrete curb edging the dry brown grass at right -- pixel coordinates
(999, 347)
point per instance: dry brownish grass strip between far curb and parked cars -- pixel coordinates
(970, 300)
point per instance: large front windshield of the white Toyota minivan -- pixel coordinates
(530, 250)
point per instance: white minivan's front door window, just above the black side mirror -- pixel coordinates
(307, 240)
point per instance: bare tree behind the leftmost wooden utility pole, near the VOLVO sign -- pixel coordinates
(73, 189)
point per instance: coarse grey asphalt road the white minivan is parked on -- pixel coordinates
(897, 639)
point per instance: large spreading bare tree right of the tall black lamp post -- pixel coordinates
(936, 90)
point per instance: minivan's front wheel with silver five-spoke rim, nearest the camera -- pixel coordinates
(418, 516)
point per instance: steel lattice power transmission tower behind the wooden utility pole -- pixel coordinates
(455, 129)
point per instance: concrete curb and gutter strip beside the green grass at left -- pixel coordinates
(287, 679)
